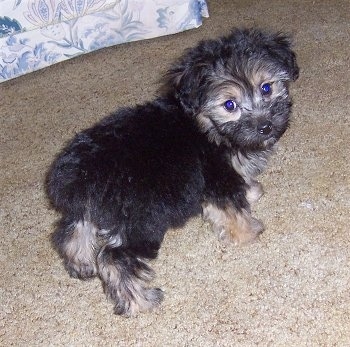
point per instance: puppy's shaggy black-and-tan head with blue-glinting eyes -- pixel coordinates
(236, 87)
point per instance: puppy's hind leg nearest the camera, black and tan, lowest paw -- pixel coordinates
(125, 276)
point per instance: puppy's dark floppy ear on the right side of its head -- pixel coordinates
(279, 47)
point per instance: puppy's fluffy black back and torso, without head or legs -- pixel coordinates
(138, 164)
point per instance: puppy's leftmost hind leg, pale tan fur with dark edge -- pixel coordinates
(76, 242)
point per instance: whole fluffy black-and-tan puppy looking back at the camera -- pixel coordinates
(198, 147)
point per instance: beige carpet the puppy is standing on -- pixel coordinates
(292, 288)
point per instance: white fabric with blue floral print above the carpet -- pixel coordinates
(38, 33)
